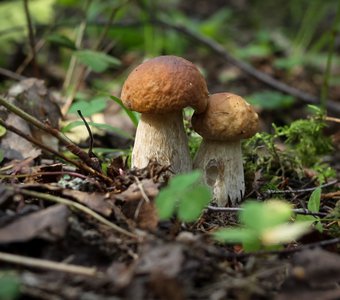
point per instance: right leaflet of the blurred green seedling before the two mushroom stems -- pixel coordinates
(193, 202)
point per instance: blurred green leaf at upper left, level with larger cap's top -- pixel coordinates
(96, 61)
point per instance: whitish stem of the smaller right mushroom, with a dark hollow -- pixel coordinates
(222, 167)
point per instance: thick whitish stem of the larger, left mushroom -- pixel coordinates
(162, 138)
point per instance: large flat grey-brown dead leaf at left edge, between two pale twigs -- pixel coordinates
(49, 224)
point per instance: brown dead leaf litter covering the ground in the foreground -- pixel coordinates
(168, 260)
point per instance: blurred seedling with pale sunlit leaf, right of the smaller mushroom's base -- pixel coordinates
(264, 225)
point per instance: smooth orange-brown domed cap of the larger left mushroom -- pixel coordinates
(165, 84)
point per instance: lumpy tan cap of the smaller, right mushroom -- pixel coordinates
(228, 118)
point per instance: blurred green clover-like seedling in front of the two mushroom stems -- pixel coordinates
(185, 195)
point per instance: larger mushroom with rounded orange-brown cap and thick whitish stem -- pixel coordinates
(159, 89)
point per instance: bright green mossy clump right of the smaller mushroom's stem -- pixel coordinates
(304, 146)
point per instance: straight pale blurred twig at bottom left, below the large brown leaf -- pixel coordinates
(47, 264)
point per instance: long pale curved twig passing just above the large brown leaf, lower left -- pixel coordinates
(72, 204)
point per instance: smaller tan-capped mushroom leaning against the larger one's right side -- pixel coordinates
(227, 119)
